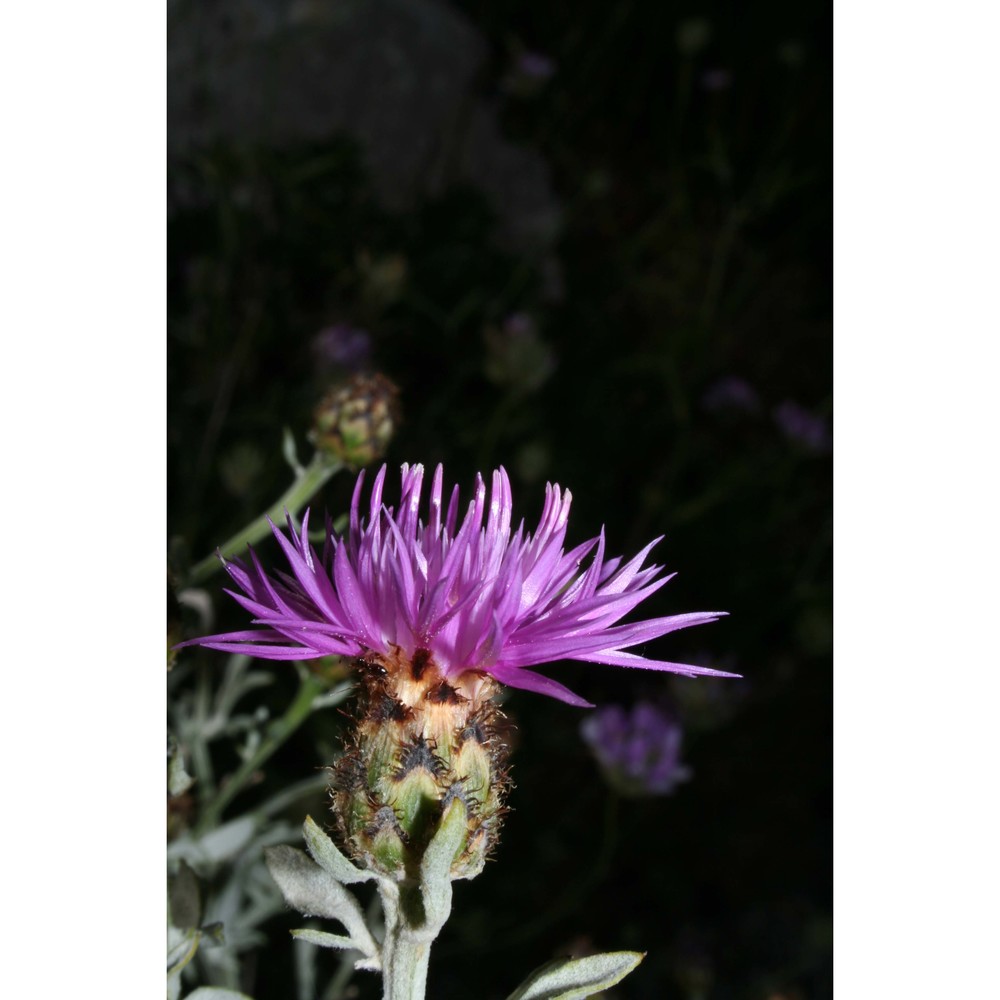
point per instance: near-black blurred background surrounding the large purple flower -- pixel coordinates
(666, 226)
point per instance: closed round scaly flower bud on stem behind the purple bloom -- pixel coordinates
(356, 420)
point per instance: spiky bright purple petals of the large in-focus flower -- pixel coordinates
(469, 596)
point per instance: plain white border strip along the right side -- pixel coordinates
(917, 213)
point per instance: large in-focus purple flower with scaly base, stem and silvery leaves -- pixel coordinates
(438, 615)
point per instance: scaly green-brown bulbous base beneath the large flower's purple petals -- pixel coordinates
(419, 742)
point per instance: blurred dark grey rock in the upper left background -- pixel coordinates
(397, 75)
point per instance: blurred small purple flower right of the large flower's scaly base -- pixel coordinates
(639, 750)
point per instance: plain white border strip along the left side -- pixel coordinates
(82, 404)
